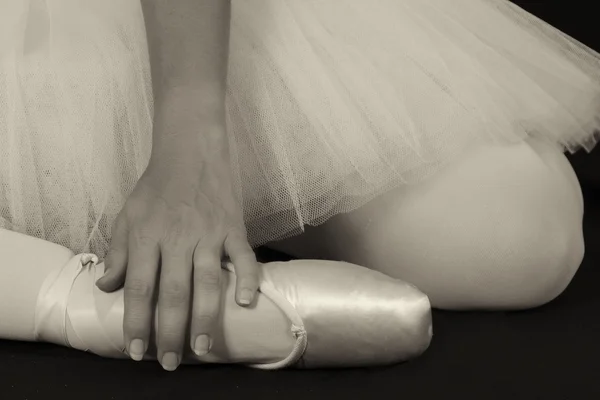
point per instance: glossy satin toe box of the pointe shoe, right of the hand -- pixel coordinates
(353, 316)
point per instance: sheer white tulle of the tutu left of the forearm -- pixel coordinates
(75, 116)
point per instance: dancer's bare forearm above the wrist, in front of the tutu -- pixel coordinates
(189, 43)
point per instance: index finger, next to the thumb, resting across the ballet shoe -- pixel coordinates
(140, 282)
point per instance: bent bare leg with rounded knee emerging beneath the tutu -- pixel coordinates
(499, 229)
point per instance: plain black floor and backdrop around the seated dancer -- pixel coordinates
(548, 353)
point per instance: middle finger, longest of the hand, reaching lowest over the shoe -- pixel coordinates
(173, 303)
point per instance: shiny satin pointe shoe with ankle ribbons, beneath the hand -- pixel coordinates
(338, 314)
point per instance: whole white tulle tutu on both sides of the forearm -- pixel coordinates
(330, 103)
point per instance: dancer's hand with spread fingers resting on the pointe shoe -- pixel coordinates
(181, 214)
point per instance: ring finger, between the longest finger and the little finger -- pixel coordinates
(207, 297)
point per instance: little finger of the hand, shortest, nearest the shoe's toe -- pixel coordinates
(246, 267)
